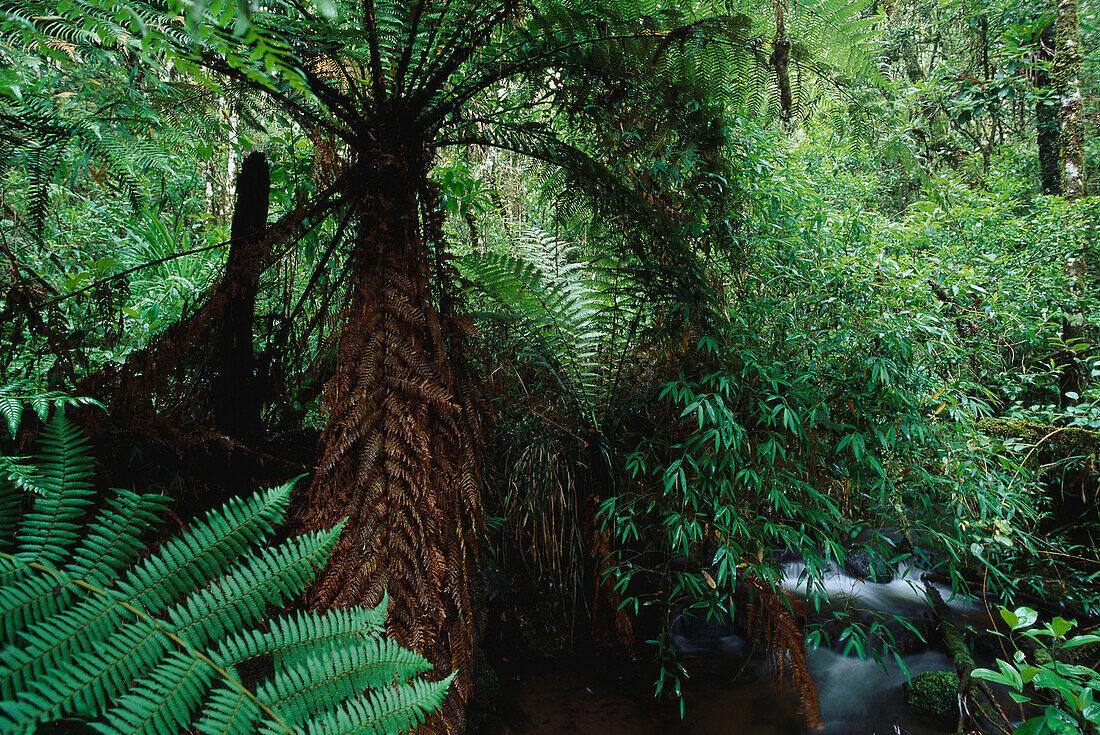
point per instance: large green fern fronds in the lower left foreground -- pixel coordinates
(95, 627)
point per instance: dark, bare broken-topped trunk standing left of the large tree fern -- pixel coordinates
(235, 396)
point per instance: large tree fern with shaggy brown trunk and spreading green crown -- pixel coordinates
(642, 123)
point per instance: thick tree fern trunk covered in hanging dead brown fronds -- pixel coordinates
(401, 451)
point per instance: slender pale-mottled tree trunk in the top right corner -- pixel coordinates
(1068, 62)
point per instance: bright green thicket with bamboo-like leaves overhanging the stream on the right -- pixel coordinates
(845, 396)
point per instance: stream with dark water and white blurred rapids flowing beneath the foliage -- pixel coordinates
(731, 693)
